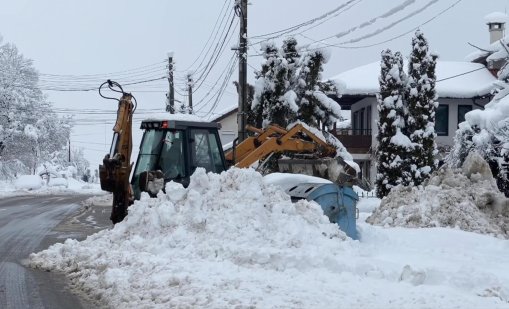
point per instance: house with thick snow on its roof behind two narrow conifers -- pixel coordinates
(461, 87)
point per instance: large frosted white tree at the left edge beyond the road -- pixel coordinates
(29, 130)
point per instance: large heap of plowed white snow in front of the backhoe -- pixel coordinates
(212, 245)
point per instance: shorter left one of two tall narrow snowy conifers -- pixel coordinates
(393, 145)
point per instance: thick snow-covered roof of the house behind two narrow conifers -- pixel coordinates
(454, 79)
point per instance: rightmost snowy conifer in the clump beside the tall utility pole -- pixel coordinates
(316, 108)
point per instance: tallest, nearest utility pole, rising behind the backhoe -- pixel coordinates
(241, 11)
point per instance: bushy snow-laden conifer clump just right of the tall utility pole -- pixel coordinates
(289, 87)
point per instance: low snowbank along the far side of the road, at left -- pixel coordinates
(35, 185)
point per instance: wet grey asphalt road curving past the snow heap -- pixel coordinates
(31, 224)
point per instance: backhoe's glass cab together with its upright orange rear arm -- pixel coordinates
(171, 150)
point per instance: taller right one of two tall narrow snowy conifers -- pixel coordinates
(420, 95)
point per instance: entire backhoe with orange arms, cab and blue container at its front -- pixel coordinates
(173, 146)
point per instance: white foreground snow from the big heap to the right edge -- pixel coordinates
(234, 241)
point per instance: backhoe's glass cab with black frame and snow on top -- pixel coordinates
(171, 150)
